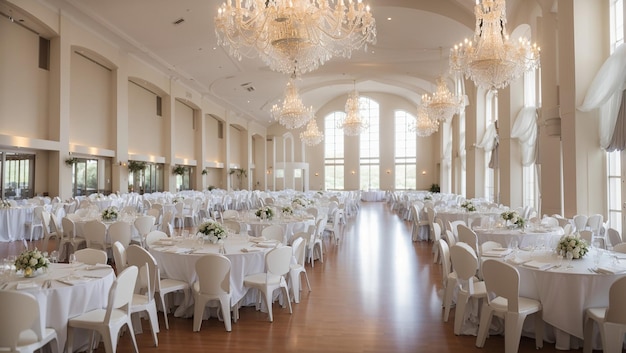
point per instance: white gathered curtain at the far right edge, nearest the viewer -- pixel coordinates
(605, 92)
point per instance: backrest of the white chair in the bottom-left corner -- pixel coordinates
(20, 312)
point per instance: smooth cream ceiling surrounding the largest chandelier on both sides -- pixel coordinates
(405, 61)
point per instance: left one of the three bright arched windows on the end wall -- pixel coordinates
(333, 152)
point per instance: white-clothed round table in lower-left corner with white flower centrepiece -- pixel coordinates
(73, 291)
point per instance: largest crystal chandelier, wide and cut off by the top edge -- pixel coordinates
(294, 35)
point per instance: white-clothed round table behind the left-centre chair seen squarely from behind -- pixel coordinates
(176, 258)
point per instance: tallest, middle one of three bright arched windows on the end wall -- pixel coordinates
(369, 156)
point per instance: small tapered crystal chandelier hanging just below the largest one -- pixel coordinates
(292, 114)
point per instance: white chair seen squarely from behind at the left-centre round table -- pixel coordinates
(213, 284)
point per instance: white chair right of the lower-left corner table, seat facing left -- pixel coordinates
(109, 321)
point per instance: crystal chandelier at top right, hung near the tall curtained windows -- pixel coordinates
(491, 60)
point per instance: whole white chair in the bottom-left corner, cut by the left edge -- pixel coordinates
(21, 329)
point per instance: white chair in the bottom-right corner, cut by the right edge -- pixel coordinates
(611, 320)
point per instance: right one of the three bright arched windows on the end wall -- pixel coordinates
(405, 152)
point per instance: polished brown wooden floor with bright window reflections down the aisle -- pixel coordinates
(376, 291)
